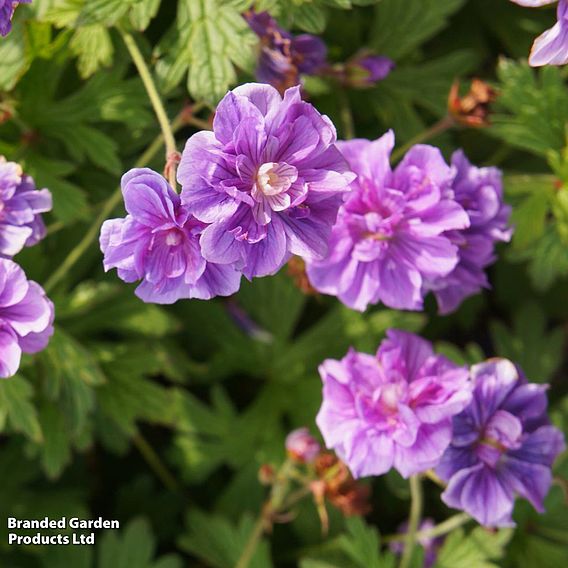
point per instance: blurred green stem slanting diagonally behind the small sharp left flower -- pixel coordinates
(106, 210)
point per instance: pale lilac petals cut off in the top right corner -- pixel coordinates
(550, 48)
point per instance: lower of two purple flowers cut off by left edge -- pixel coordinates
(26, 317)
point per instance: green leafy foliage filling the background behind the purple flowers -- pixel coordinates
(215, 398)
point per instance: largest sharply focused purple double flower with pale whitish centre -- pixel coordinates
(269, 179)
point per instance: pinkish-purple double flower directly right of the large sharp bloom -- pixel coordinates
(390, 236)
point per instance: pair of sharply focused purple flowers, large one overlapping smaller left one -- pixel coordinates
(264, 185)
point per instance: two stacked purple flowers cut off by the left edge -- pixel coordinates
(26, 314)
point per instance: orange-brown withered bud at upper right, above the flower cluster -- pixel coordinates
(474, 108)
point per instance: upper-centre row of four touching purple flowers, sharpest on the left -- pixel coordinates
(268, 183)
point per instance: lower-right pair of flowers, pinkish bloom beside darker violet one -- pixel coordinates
(484, 430)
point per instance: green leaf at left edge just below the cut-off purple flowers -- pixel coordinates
(17, 409)
